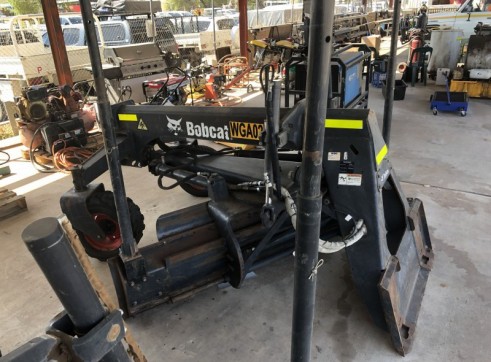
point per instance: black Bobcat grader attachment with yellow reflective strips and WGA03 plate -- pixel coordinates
(249, 218)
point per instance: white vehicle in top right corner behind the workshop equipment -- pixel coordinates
(465, 17)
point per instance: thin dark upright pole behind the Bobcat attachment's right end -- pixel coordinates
(391, 73)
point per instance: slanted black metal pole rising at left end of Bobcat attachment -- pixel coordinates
(106, 121)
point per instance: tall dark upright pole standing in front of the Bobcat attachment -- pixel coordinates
(310, 197)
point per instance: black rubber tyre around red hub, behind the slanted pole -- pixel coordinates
(102, 205)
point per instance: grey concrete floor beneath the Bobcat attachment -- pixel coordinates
(442, 160)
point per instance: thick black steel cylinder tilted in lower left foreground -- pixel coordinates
(52, 251)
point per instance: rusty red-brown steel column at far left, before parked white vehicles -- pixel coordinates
(57, 42)
